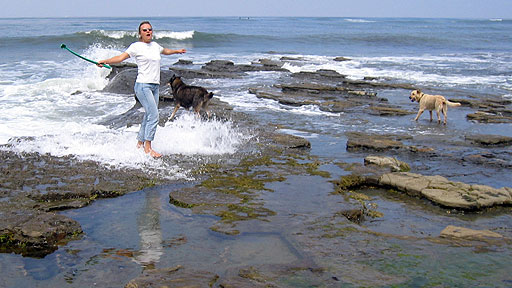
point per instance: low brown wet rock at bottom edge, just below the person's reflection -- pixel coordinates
(174, 277)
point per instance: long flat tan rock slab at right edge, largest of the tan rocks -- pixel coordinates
(447, 193)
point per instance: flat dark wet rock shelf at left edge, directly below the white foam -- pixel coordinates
(36, 174)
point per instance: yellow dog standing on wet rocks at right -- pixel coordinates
(431, 102)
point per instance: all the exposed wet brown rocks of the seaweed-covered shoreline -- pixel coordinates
(35, 187)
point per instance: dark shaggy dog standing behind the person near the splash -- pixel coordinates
(189, 96)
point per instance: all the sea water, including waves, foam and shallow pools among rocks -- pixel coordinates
(52, 102)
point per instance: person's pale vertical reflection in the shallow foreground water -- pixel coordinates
(148, 222)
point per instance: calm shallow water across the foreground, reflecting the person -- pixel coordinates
(125, 235)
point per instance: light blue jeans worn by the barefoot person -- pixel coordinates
(147, 94)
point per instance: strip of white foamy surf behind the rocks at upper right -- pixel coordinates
(434, 69)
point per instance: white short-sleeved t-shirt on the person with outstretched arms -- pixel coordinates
(147, 56)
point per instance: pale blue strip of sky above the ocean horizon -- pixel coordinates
(306, 8)
